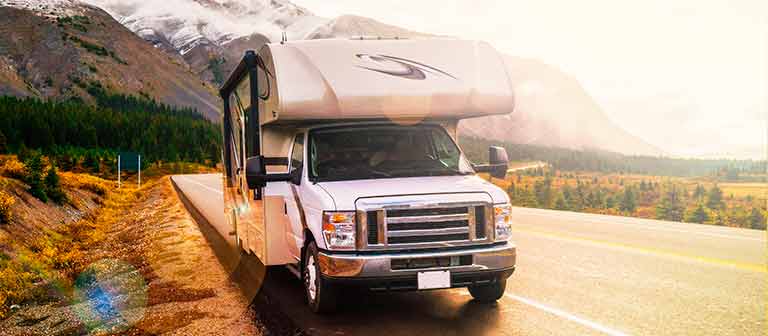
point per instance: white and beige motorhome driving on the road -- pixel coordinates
(341, 162)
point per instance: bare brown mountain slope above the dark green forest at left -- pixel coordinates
(62, 48)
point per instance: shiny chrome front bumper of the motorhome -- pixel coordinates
(374, 270)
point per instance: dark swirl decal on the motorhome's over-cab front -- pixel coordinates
(400, 67)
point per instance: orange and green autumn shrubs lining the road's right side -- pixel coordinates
(666, 200)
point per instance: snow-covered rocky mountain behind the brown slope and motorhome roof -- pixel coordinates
(197, 30)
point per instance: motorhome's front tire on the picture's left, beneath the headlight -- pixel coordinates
(322, 298)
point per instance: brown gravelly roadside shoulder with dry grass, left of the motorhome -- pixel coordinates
(149, 271)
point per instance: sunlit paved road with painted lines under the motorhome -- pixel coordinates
(578, 274)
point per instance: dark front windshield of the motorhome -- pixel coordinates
(355, 152)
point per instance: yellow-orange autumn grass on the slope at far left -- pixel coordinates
(50, 260)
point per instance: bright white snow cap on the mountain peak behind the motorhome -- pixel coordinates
(186, 24)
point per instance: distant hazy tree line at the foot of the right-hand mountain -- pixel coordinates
(603, 161)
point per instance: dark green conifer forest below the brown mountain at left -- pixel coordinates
(75, 133)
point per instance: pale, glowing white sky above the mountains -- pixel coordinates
(688, 76)
